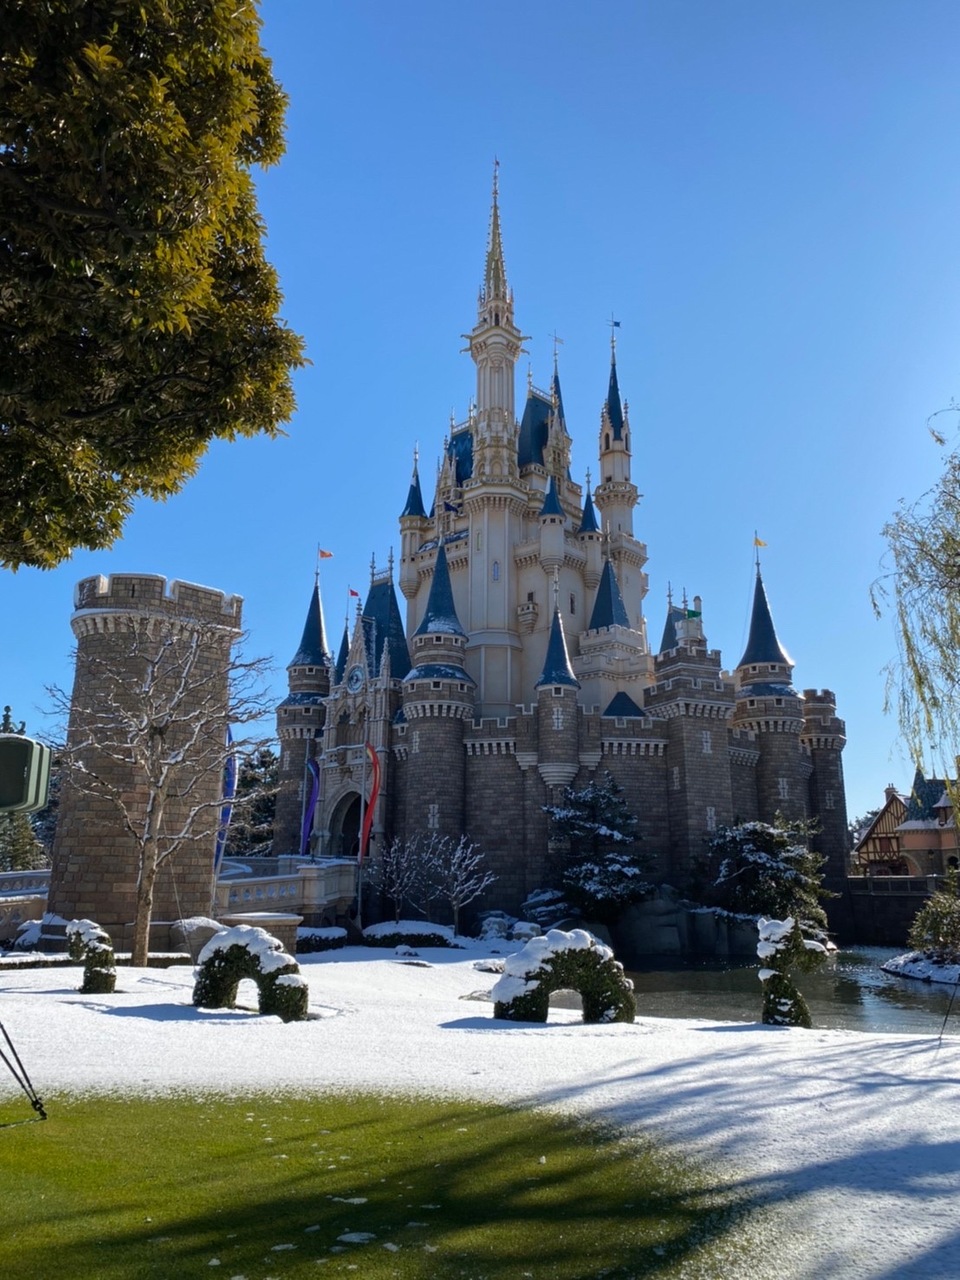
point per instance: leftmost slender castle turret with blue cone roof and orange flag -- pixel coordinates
(300, 725)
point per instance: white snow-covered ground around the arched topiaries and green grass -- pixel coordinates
(851, 1142)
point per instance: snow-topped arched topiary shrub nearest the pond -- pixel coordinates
(557, 961)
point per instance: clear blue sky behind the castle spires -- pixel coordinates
(765, 194)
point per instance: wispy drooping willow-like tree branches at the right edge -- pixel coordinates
(922, 591)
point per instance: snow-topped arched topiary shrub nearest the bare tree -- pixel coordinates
(245, 952)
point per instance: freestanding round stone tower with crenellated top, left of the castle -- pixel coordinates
(156, 651)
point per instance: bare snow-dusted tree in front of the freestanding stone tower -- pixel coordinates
(150, 737)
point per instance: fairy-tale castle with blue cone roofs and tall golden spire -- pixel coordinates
(525, 666)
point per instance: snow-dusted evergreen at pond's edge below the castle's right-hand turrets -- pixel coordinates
(762, 870)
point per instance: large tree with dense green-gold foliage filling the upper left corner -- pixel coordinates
(139, 316)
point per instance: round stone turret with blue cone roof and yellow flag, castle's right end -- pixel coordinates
(770, 707)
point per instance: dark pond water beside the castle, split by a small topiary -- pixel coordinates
(851, 993)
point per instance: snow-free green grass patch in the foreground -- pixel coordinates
(121, 1187)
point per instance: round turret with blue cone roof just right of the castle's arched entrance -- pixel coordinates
(438, 698)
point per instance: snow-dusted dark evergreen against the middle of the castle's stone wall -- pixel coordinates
(602, 868)
